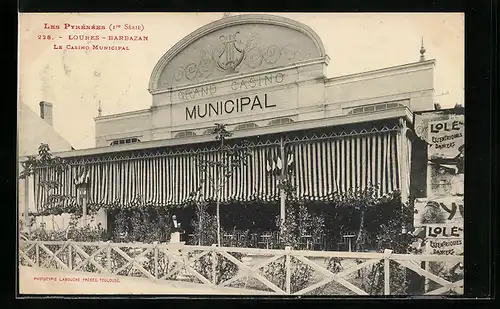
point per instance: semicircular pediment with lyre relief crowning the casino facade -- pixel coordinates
(239, 44)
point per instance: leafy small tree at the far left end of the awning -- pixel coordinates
(46, 161)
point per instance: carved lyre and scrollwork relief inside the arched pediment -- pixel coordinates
(232, 52)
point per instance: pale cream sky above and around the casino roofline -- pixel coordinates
(75, 81)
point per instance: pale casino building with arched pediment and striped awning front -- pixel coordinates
(264, 77)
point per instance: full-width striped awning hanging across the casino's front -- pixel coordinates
(321, 166)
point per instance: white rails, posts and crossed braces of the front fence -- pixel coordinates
(173, 253)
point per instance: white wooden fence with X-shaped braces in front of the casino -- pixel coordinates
(283, 272)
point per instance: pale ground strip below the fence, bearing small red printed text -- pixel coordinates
(49, 281)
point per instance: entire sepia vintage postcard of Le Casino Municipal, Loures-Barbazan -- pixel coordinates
(241, 153)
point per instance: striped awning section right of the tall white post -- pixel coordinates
(349, 163)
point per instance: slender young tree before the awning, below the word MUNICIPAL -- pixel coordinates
(230, 159)
